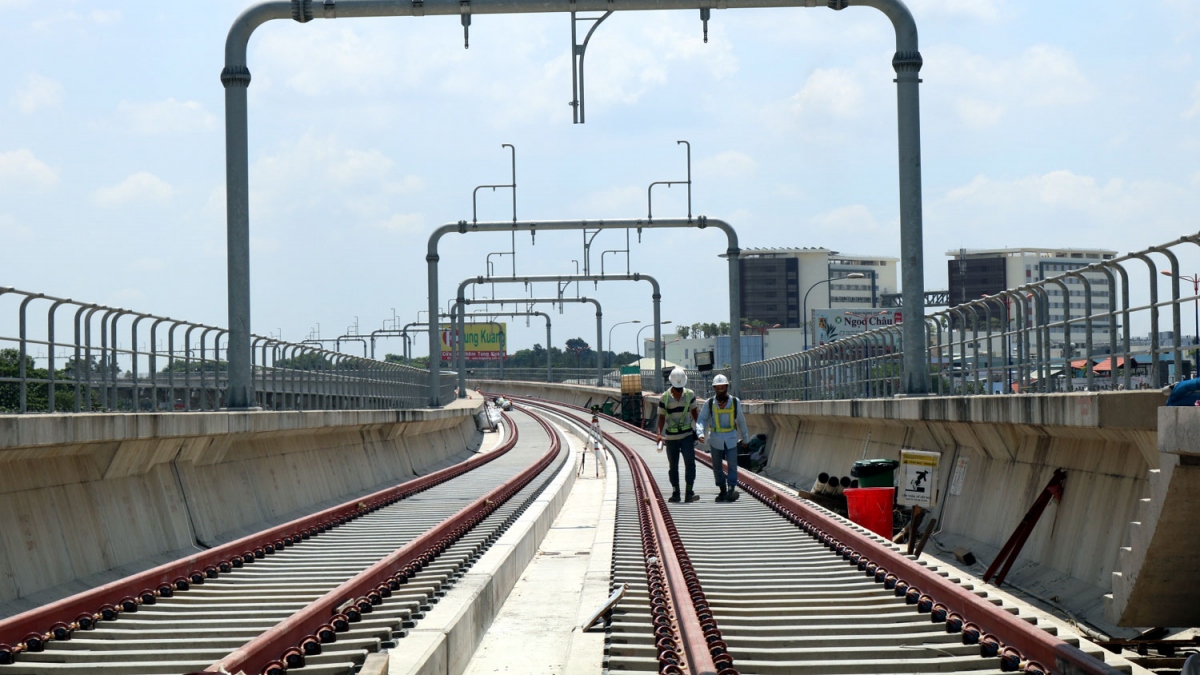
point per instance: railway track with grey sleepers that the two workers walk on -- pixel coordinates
(797, 590)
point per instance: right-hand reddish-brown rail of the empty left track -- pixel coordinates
(281, 648)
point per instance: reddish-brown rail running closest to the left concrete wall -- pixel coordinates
(33, 630)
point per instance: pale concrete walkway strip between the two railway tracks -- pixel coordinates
(539, 628)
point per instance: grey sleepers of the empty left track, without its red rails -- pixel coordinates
(197, 628)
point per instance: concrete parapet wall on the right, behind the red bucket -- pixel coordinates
(1107, 443)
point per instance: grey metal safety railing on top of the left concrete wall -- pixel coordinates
(70, 356)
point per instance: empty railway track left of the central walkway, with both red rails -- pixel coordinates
(314, 596)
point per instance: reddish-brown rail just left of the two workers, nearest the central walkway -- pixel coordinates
(705, 653)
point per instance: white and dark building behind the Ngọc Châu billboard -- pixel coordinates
(775, 283)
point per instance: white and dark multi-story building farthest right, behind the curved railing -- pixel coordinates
(977, 273)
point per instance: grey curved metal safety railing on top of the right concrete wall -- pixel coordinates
(1067, 333)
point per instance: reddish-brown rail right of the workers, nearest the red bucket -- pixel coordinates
(1021, 646)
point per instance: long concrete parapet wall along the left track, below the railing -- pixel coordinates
(88, 498)
